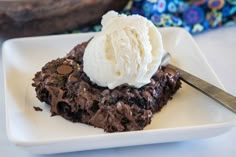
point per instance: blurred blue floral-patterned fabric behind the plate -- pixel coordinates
(193, 15)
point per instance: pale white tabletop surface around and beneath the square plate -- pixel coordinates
(219, 47)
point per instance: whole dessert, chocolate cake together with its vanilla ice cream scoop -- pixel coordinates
(113, 81)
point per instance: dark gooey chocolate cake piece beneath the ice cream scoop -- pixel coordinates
(65, 87)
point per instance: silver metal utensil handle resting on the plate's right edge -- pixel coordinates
(219, 95)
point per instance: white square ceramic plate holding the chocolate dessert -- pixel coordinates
(190, 115)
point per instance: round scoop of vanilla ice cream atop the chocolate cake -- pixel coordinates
(128, 50)
